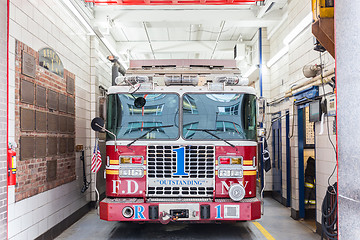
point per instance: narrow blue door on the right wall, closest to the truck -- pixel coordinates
(276, 158)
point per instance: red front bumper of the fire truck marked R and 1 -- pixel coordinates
(220, 210)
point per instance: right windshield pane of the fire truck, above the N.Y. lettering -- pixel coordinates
(228, 116)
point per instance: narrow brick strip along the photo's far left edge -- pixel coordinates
(3, 121)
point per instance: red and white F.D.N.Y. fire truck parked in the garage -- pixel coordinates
(181, 144)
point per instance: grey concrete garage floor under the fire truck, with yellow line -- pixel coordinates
(276, 221)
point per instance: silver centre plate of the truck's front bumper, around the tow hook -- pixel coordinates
(185, 212)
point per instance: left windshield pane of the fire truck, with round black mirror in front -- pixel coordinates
(129, 122)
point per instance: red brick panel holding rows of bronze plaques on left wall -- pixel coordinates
(45, 126)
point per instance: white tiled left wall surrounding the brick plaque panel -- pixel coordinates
(41, 24)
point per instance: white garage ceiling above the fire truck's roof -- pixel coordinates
(184, 32)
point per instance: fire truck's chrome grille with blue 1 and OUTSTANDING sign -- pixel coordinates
(199, 170)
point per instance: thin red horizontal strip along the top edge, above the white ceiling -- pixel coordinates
(174, 2)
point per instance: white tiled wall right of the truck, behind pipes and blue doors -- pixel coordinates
(285, 73)
